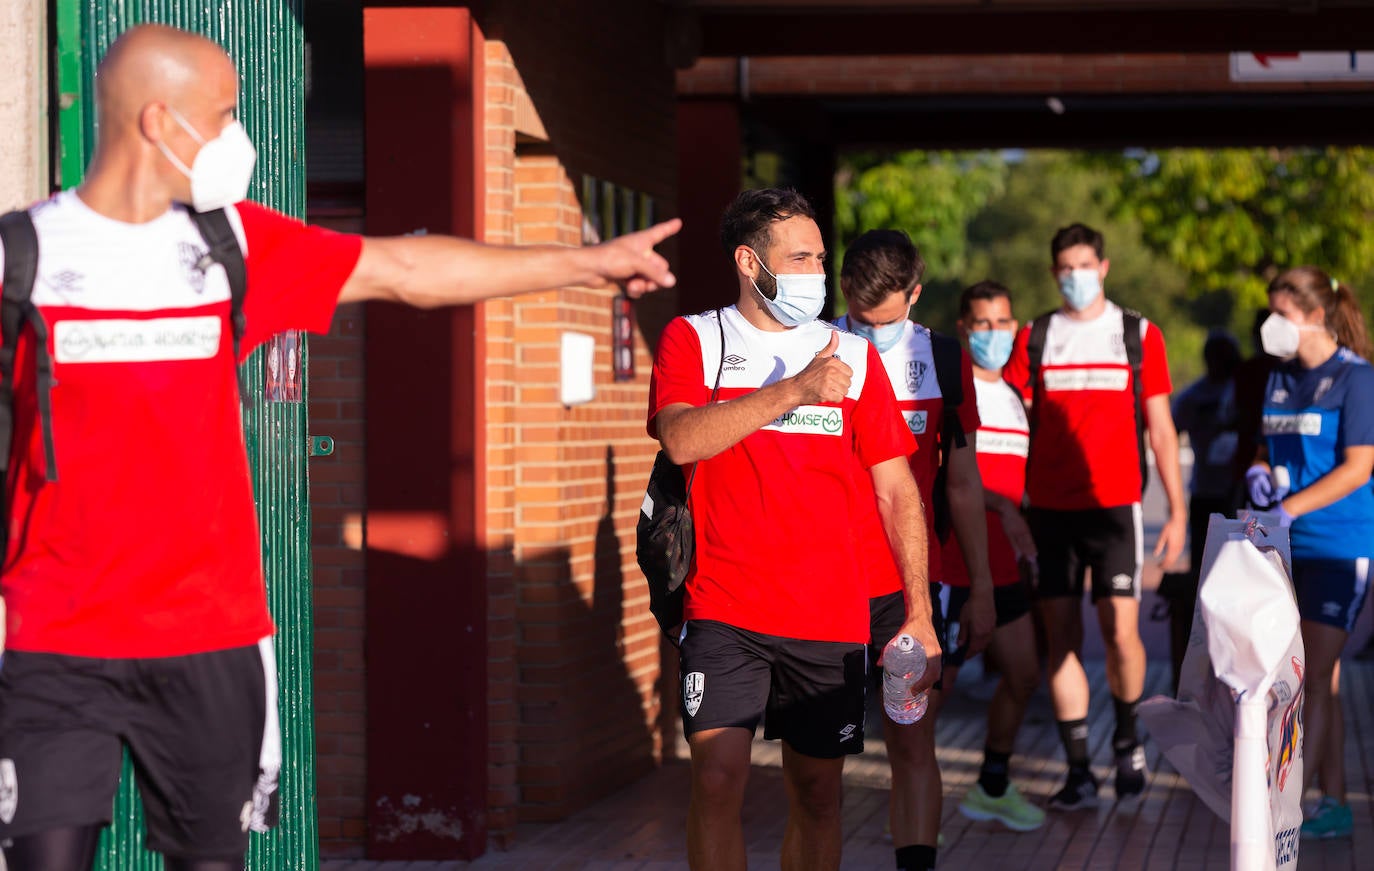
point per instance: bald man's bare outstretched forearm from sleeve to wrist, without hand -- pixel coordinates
(438, 271)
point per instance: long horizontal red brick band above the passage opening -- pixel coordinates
(919, 75)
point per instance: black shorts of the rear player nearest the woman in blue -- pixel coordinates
(1070, 543)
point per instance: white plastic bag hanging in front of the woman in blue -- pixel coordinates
(1239, 711)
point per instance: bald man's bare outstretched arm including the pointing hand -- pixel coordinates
(436, 271)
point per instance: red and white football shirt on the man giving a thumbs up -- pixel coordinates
(773, 513)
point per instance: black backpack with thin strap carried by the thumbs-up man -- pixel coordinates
(666, 535)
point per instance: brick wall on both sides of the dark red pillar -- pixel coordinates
(574, 655)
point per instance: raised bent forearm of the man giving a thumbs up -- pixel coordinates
(692, 435)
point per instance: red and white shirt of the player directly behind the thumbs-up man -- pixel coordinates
(912, 369)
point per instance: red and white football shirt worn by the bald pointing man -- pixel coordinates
(149, 545)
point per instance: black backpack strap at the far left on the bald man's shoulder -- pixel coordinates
(17, 310)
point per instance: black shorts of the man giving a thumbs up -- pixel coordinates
(810, 694)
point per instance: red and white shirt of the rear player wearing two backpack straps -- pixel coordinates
(1085, 449)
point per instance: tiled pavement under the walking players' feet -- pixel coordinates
(641, 829)
